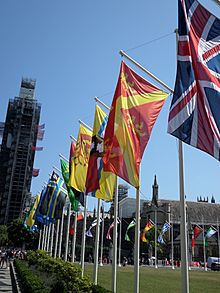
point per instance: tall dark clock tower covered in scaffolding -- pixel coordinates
(18, 151)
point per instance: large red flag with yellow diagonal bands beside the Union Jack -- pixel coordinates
(135, 107)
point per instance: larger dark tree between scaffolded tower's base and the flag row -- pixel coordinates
(20, 236)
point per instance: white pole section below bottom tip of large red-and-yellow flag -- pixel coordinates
(137, 243)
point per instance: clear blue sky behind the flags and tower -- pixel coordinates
(72, 49)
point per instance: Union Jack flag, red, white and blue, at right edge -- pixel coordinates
(194, 112)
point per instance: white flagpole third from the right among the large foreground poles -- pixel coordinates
(114, 257)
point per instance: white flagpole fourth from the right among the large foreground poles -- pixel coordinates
(96, 256)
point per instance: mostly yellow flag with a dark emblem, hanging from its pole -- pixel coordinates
(80, 160)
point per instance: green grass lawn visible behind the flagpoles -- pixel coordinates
(163, 280)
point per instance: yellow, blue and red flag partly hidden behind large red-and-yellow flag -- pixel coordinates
(99, 183)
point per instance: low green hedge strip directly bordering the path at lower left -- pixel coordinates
(30, 283)
